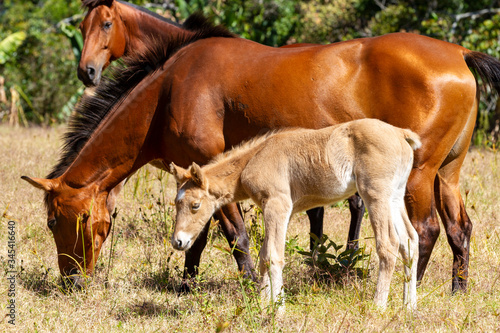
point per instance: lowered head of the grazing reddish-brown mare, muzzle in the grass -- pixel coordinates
(80, 222)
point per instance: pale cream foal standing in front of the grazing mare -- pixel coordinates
(290, 171)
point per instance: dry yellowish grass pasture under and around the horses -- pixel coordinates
(138, 273)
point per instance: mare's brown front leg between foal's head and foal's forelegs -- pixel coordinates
(233, 227)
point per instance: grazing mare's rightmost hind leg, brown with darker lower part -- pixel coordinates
(457, 224)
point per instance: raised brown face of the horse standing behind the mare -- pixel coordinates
(104, 41)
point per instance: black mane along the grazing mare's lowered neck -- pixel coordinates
(117, 84)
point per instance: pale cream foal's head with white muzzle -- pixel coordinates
(195, 205)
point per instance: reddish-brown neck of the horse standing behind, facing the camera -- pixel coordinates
(142, 27)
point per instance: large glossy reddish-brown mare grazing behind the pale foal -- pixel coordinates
(215, 91)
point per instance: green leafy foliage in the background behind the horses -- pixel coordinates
(39, 40)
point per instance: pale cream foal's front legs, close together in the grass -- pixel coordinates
(277, 213)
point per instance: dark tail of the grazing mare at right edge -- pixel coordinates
(486, 67)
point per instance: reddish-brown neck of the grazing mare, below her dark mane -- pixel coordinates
(118, 147)
